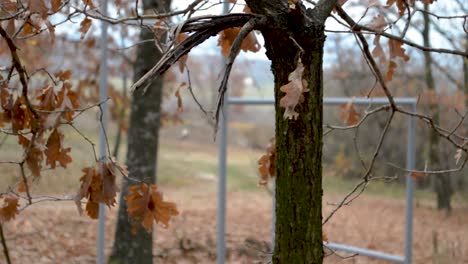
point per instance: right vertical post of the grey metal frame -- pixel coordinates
(410, 165)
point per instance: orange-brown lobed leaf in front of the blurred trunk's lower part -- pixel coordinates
(145, 204)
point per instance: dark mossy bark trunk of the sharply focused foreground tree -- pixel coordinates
(294, 33)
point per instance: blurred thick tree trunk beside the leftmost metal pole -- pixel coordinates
(143, 135)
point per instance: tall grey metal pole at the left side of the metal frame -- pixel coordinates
(221, 227)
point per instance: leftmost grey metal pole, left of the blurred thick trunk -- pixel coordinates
(103, 72)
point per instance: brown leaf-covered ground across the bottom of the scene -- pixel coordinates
(54, 233)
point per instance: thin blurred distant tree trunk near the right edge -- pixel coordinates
(442, 184)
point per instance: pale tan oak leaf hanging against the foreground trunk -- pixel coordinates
(294, 92)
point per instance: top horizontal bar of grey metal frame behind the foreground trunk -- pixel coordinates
(327, 100)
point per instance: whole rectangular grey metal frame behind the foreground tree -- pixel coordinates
(410, 164)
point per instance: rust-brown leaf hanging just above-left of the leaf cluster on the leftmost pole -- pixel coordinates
(55, 151)
